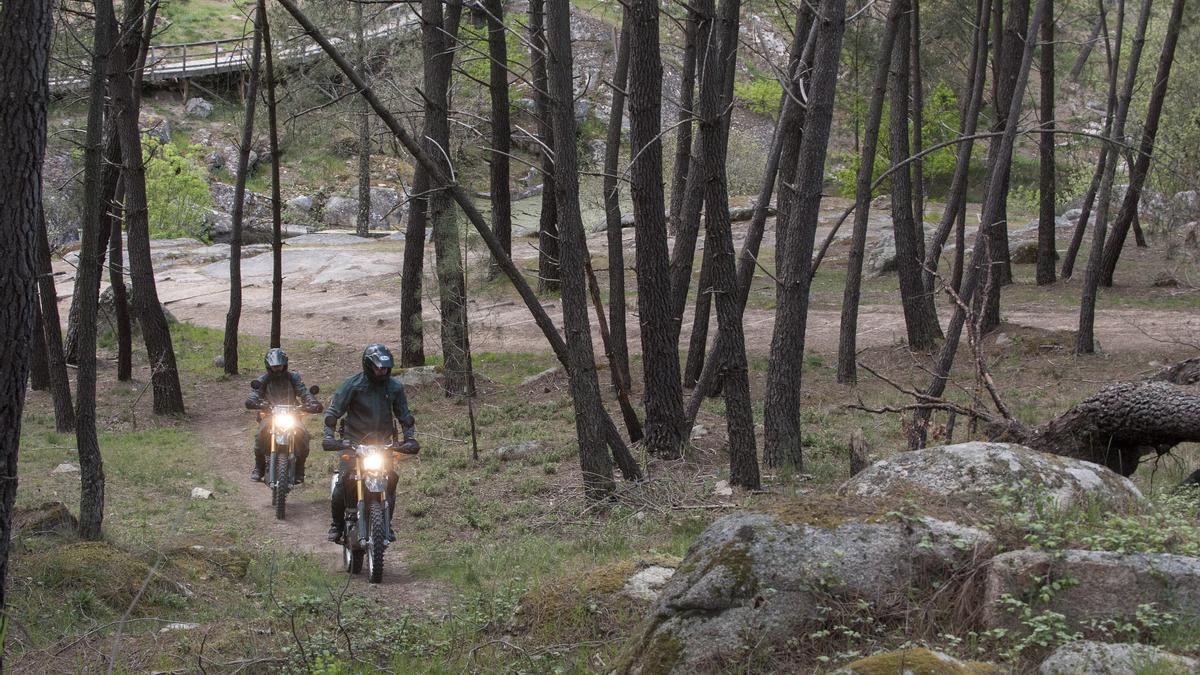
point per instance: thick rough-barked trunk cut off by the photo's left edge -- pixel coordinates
(25, 71)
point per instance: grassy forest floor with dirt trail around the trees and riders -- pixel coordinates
(501, 565)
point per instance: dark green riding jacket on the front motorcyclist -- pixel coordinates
(369, 409)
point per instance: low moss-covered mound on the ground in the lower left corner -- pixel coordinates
(115, 576)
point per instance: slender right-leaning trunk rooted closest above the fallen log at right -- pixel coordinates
(1085, 342)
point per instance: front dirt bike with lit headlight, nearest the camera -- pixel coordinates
(365, 528)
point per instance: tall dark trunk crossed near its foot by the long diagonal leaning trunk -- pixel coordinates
(585, 389)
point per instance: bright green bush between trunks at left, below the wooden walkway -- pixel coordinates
(177, 190)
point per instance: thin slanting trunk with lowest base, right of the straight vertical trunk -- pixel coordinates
(1085, 341)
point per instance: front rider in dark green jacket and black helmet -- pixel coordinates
(370, 402)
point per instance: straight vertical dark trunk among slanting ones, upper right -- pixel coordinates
(1047, 216)
